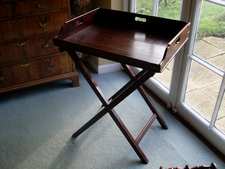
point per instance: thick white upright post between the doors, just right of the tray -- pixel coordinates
(190, 13)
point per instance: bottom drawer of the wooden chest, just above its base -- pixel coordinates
(54, 65)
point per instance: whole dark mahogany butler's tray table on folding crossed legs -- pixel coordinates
(131, 39)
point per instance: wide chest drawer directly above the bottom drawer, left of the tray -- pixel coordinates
(17, 51)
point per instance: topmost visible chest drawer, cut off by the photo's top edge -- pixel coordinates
(28, 7)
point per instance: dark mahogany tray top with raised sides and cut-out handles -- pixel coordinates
(143, 41)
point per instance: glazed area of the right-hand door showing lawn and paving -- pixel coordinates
(205, 80)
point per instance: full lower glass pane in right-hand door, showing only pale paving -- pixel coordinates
(202, 90)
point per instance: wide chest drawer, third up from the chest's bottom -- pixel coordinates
(30, 26)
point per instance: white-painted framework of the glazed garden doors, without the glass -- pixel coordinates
(174, 97)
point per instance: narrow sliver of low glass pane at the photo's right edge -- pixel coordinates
(220, 123)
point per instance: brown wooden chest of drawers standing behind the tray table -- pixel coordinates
(27, 54)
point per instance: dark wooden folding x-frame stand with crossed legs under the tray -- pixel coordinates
(136, 82)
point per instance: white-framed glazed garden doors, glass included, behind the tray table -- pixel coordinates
(195, 86)
